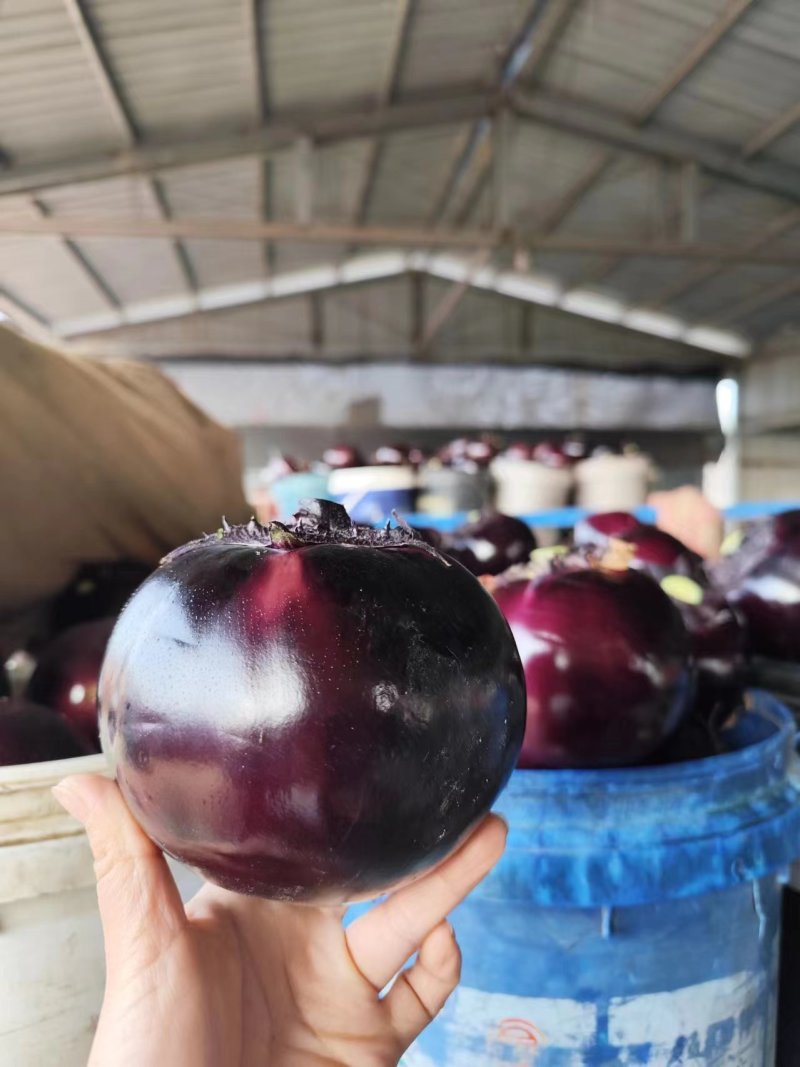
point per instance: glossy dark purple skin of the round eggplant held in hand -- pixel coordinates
(319, 724)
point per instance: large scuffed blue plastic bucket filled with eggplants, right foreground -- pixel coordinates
(635, 917)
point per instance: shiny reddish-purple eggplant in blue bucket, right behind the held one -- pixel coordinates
(607, 666)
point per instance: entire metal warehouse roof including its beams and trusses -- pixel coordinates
(627, 161)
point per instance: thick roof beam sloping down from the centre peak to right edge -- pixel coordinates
(605, 128)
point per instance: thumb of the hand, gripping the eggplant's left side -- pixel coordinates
(141, 910)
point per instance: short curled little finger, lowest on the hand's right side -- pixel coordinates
(420, 994)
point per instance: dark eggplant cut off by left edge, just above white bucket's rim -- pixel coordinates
(34, 735)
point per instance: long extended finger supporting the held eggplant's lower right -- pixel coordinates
(383, 939)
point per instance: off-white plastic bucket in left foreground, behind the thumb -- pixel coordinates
(52, 958)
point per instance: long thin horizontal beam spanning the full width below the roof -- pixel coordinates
(243, 230)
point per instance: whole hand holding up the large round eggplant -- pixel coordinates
(233, 981)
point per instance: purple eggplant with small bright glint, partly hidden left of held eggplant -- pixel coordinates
(67, 676)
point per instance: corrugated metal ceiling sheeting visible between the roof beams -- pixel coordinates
(189, 69)
